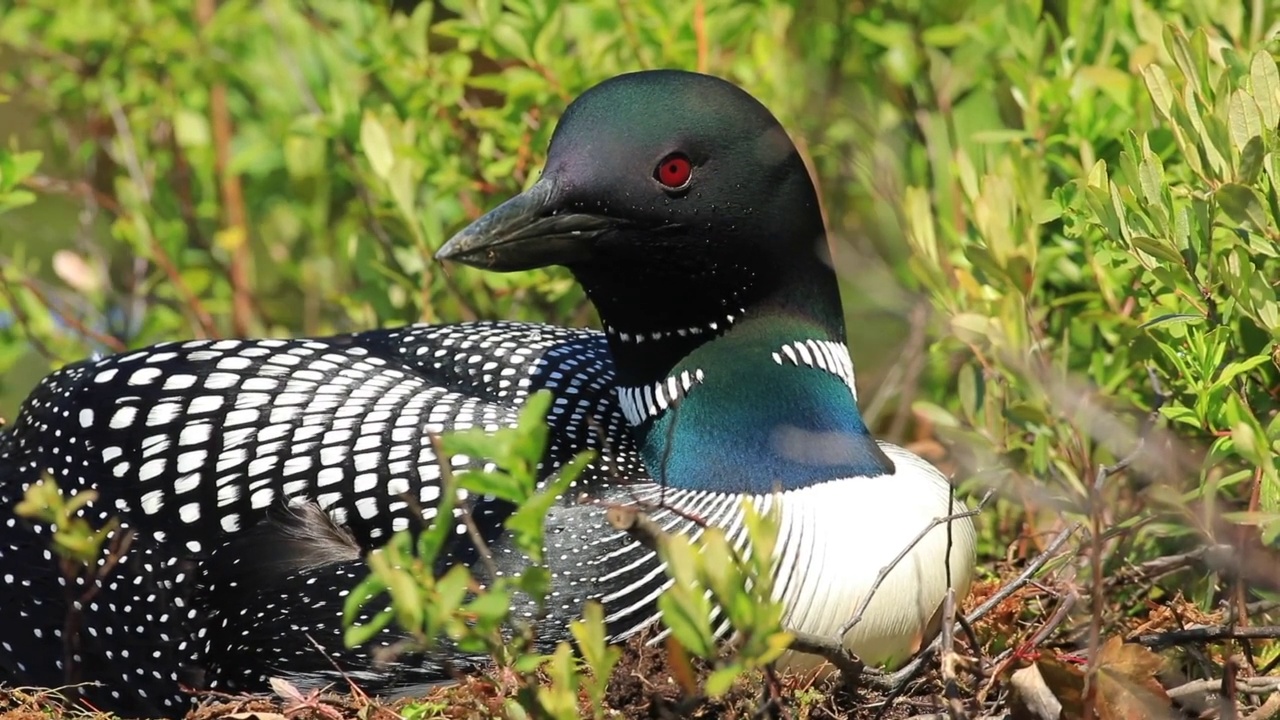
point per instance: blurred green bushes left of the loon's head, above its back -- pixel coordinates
(350, 144)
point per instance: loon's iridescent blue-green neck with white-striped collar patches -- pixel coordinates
(764, 407)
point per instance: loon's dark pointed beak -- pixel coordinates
(528, 231)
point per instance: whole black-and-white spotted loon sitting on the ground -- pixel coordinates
(254, 476)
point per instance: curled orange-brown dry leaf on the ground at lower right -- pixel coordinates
(1126, 683)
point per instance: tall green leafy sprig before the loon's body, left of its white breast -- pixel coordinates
(476, 617)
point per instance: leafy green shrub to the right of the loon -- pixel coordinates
(1082, 230)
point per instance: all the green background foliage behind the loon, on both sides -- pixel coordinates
(1053, 218)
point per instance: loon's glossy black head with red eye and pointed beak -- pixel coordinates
(682, 206)
